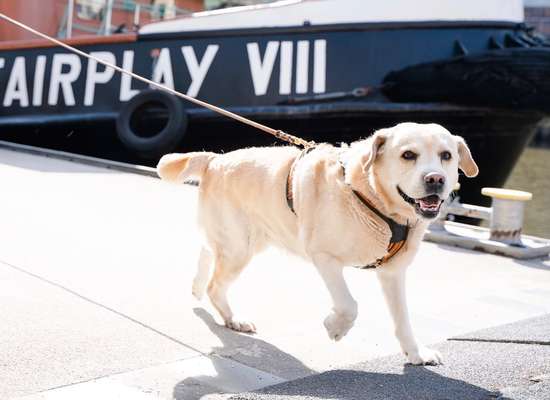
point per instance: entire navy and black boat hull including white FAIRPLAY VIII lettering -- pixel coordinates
(54, 99)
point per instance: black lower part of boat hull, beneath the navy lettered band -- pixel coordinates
(496, 136)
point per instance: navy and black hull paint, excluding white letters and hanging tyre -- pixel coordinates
(357, 56)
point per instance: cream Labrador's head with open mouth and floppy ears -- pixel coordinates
(415, 166)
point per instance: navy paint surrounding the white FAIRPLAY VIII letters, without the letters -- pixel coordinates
(360, 56)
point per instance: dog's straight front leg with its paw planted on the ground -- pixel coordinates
(392, 278)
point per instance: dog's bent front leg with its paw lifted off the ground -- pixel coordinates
(344, 310)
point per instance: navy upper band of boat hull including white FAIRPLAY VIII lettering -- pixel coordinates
(243, 68)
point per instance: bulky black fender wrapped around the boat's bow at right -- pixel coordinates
(512, 78)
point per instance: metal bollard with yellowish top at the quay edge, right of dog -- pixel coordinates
(507, 214)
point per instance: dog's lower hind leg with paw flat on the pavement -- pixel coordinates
(227, 270)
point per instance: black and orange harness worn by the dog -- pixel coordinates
(399, 232)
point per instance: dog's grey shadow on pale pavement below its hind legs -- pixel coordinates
(243, 348)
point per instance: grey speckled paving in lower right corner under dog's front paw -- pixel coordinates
(479, 370)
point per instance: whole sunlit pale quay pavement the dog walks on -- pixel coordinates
(95, 300)
